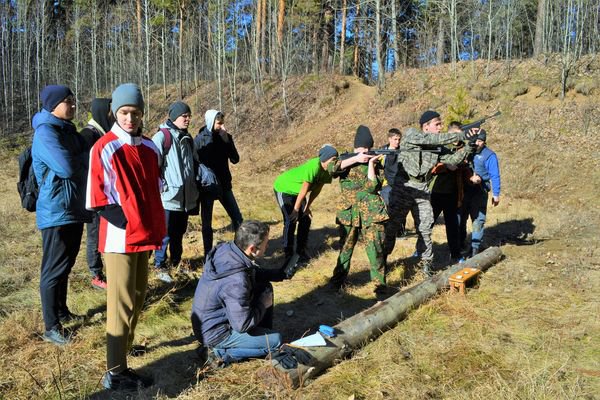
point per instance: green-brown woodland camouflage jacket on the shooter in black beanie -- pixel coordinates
(359, 204)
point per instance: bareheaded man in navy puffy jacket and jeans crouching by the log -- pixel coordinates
(232, 308)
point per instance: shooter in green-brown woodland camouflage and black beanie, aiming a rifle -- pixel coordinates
(360, 210)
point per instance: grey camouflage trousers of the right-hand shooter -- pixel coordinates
(411, 197)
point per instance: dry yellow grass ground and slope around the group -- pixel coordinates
(531, 330)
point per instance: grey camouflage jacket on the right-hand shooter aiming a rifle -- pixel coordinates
(418, 164)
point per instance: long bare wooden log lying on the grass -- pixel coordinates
(353, 332)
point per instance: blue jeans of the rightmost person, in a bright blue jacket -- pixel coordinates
(474, 206)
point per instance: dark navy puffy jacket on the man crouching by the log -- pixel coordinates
(226, 297)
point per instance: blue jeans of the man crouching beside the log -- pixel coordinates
(256, 343)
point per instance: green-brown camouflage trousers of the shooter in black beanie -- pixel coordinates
(373, 236)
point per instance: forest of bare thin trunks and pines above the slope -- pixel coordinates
(92, 46)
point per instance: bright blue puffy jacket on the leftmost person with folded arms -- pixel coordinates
(60, 163)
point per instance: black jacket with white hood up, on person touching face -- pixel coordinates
(214, 152)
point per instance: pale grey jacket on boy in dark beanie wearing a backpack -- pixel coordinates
(180, 192)
